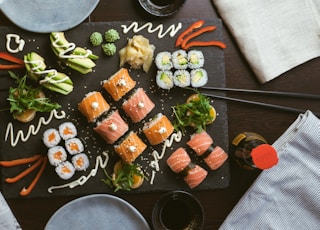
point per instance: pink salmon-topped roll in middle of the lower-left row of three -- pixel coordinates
(112, 128)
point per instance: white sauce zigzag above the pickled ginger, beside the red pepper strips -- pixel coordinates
(172, 30)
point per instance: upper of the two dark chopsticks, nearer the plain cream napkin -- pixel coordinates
(275, 93)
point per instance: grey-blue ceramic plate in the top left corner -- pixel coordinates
(45, 16)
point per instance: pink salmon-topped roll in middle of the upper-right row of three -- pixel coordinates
(138, 105)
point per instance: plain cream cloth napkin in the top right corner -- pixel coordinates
(274, 35)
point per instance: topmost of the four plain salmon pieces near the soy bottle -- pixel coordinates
(200, 142)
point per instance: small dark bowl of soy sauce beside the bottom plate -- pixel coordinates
(178, 210)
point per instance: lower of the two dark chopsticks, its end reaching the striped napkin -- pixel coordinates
(279, 107)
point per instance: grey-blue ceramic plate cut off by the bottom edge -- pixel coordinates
(99, 211)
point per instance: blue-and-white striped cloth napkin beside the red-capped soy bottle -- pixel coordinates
(286, 196)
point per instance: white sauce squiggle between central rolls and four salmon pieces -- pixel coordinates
(167, 144)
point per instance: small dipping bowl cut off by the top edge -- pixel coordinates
(162, 8)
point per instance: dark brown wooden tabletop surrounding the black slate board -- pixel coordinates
(34, 213)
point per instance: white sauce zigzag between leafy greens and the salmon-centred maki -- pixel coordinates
(32, 129)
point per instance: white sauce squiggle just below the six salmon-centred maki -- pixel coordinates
(83, 179)
